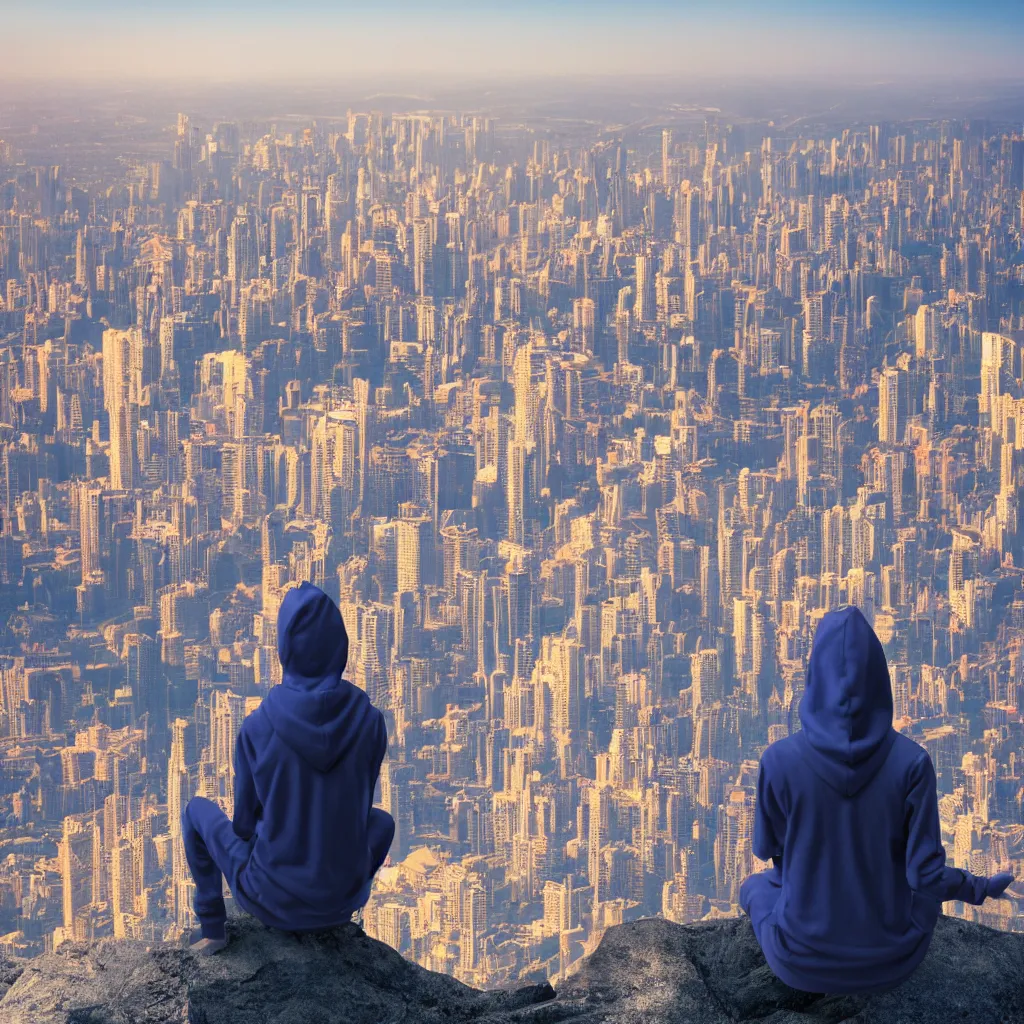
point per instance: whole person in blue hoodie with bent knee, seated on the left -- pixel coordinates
(306, 841)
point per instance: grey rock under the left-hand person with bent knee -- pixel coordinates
(264, 977)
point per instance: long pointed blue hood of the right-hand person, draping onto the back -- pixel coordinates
(847, 708)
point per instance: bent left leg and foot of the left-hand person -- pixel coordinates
(215, 854)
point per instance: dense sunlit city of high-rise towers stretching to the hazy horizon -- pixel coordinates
(585, 414)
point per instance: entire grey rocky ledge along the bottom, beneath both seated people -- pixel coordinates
(650, 971)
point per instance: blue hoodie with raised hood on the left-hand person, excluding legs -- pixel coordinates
(315, 749)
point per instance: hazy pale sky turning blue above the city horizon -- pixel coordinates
(273, 39)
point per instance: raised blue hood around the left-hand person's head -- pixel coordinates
(313, 644)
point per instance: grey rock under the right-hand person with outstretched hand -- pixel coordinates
(715, 973)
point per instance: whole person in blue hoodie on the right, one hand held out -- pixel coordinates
(847, 813)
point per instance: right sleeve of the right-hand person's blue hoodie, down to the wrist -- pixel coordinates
(926, 859)
